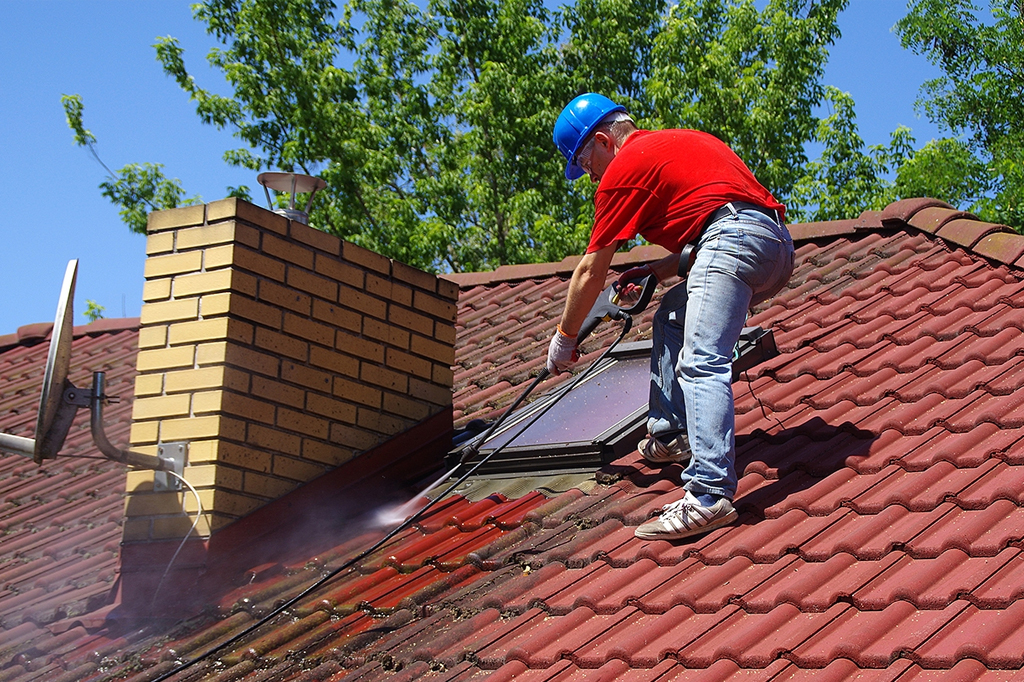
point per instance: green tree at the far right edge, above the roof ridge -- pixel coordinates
(978, 100)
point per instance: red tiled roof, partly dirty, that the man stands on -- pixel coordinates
(881, 464)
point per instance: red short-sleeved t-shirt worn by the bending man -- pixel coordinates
(665, 185)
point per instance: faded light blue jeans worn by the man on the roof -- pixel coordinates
(742, 261)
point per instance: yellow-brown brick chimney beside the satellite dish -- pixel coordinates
(277, 353)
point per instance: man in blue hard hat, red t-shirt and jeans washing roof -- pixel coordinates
(677, 188)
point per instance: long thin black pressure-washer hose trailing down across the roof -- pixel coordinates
(628, 324)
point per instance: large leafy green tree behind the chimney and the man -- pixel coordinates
(432, 122)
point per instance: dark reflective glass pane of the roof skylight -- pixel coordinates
(589, 410)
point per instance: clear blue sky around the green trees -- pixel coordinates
(102, 50)
